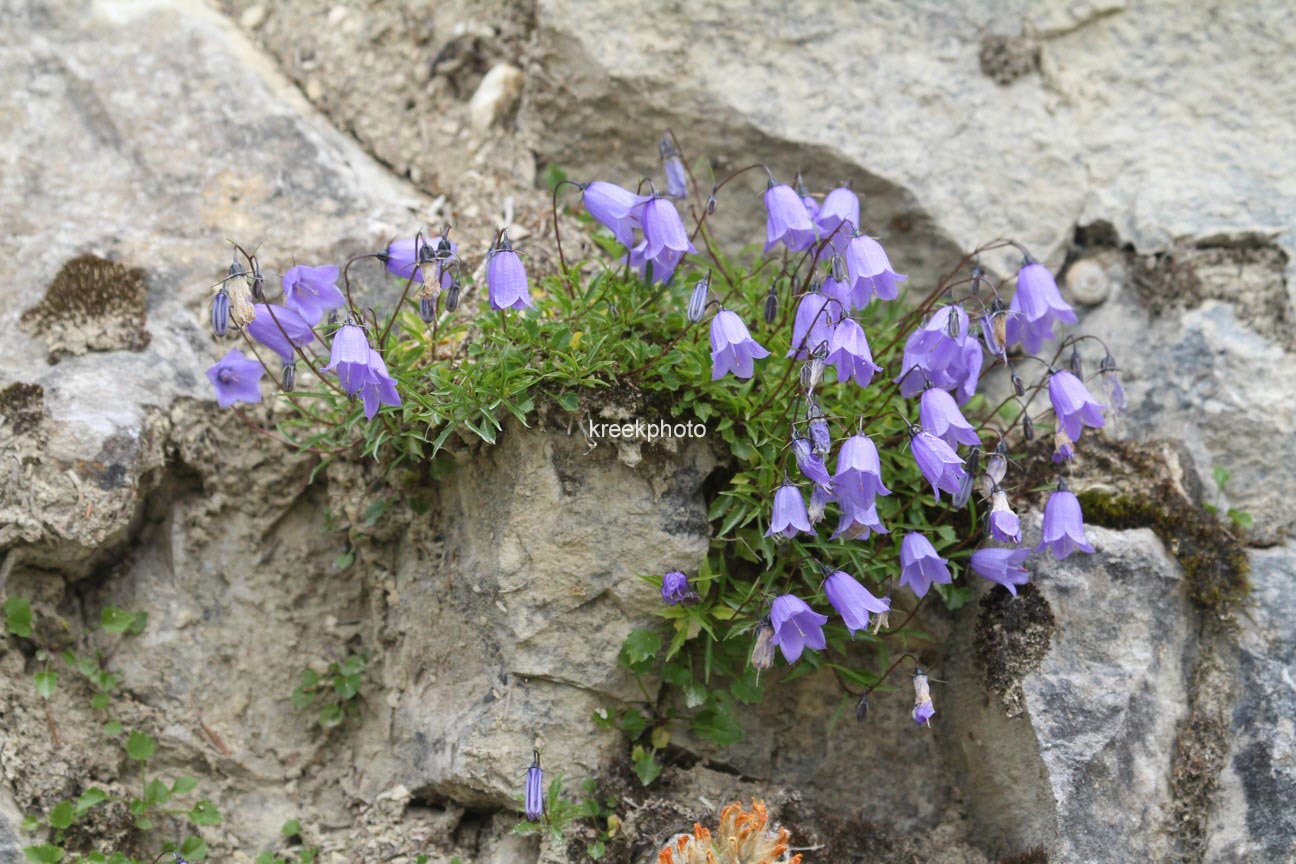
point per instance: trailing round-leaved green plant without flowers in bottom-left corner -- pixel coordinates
(161, 806)
